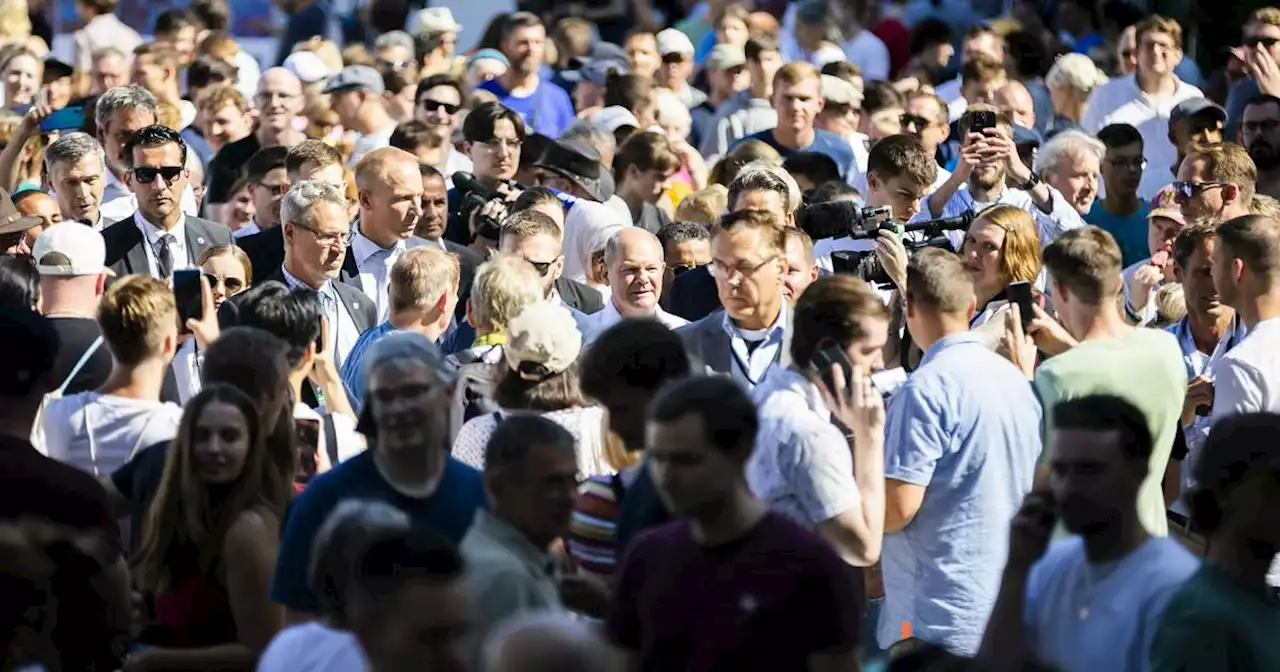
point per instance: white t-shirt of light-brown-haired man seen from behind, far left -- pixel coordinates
(99, 433)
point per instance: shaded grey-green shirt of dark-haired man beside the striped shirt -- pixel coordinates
(506, 574)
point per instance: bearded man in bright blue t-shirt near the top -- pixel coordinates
(543, 106)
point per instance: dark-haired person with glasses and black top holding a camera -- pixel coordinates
(492, 139)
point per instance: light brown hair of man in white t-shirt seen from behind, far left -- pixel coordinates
(136, 314)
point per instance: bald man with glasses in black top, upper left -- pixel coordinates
(280, 104)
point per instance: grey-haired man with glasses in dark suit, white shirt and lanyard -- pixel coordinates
(317, 232)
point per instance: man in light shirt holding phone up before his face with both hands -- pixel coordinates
(986, 161)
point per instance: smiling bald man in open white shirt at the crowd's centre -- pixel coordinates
(636, 266)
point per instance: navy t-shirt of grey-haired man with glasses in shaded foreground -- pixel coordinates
(450, 510)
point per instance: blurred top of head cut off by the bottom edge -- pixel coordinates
(548, 642)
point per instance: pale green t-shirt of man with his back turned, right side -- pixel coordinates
(1144, 368)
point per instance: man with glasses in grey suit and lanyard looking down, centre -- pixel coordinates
(747, 337)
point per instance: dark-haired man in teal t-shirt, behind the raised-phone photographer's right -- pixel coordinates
(1121, 212)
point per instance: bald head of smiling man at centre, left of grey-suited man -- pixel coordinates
(636, 264)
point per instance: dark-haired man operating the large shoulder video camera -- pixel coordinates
(899, 173)
